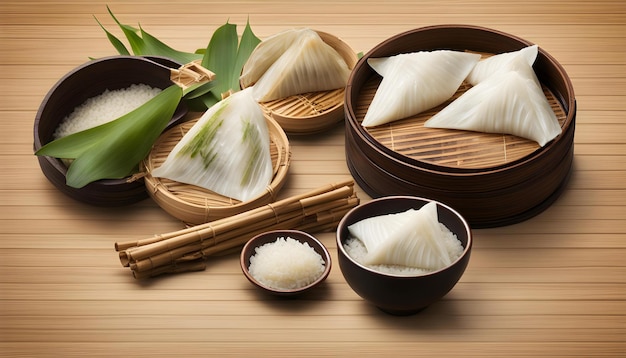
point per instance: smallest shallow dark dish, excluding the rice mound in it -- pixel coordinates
(271, 236)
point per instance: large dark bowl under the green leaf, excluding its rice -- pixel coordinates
(73, 89)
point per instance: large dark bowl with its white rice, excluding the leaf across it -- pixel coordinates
(91, 94)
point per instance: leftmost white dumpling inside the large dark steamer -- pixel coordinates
(415, 82)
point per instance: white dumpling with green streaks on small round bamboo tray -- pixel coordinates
(227, 151)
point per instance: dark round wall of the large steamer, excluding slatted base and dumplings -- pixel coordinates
(533, 180)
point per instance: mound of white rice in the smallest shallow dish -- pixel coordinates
(286, 264)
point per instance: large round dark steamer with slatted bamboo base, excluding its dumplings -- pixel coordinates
(492, 179)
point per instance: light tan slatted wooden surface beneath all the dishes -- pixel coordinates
(554, 285)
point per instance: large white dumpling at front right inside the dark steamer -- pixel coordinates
(507, 103)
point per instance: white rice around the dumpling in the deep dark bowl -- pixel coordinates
(355, 248)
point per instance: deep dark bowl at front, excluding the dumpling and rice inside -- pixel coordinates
(402, 294)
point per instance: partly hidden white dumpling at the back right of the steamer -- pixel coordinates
(503, 62)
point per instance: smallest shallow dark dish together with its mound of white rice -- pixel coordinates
(285, 262)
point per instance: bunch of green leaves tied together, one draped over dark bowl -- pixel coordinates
(113, 150)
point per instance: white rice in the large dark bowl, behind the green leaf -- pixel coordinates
(109, 105)
